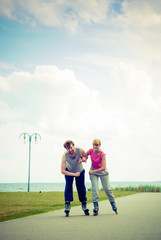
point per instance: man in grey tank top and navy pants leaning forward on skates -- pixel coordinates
(71, 167)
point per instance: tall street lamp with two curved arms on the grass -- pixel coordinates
(36, 138)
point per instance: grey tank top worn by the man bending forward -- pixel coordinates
(72, 164)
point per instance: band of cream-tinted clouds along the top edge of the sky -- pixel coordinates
(71, 14)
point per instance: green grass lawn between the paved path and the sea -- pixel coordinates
(21, 204)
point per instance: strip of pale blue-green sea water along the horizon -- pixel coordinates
(36, 187)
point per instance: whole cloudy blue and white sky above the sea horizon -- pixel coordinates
(80, 70)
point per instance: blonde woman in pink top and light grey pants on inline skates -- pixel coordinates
(98, 170)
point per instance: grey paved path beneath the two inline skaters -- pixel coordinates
(139, 218)
